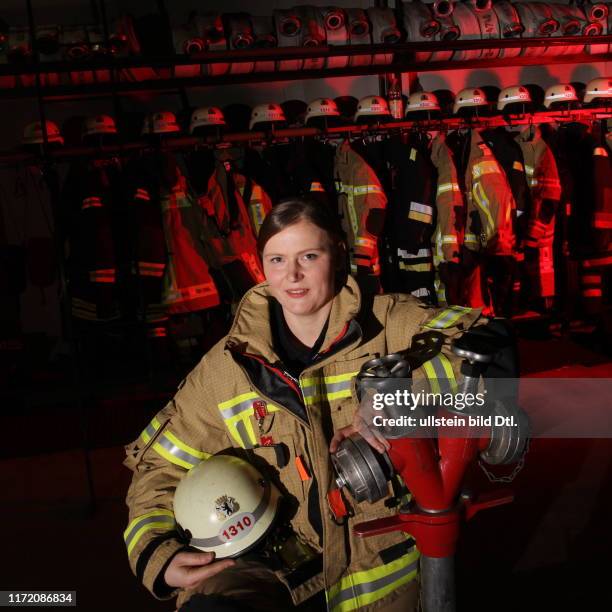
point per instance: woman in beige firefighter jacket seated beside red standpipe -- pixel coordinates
(278, 392)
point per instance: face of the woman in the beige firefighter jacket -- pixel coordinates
(299, 266)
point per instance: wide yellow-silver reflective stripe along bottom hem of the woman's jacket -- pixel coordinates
(363, 588)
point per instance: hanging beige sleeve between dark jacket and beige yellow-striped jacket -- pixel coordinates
(449, 203)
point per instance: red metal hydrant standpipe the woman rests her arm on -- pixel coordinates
(432, 462)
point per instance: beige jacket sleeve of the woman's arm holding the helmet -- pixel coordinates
(188, 430)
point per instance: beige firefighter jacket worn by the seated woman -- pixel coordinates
(213, 411)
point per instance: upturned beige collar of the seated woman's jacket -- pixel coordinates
(251, 331)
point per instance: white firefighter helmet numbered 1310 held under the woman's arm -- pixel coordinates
(224, 505)
